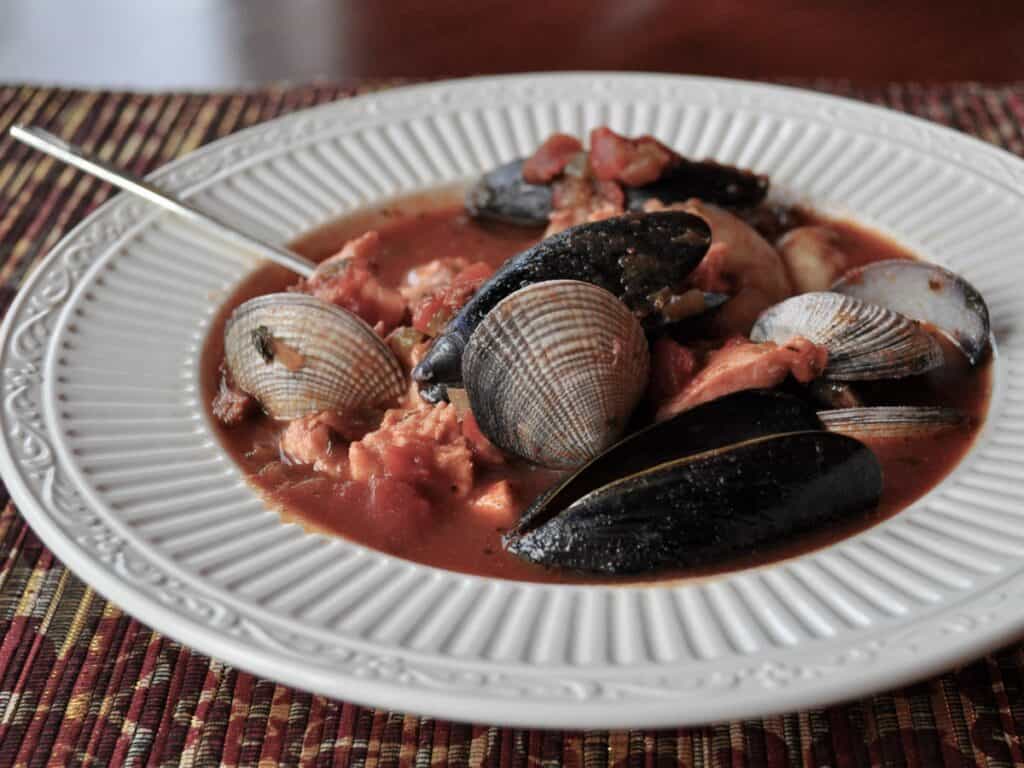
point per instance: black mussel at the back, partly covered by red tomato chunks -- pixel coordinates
(503, 195)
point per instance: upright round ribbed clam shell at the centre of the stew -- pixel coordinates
(554, 371)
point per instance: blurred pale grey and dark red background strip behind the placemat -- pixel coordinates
(209, 45)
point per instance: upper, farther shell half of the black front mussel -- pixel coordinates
(735, 418)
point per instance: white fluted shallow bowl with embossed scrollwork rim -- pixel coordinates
(109, 455)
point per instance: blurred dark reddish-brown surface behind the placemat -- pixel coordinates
(868, 41)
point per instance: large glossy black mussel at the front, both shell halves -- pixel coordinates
(746, 472)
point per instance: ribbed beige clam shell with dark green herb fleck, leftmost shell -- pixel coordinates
(297, 356)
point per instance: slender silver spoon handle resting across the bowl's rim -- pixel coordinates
(58, 148)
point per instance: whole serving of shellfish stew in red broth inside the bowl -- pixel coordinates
(606, 363)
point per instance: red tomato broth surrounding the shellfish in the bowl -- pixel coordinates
(449, 536)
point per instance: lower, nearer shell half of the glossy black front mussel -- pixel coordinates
(710, 507)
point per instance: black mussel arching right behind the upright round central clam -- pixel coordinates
(632, 257)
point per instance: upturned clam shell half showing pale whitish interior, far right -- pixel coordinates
(927, 293)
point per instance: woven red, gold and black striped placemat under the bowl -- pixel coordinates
(81, 682)
